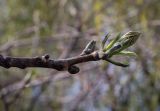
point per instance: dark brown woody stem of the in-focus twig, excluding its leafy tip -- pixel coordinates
(46, 62)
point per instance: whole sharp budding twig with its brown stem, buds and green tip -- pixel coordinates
(88, 54)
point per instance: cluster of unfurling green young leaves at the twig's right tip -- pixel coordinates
(118, 45)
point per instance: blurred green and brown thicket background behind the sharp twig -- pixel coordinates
(62, 28)
